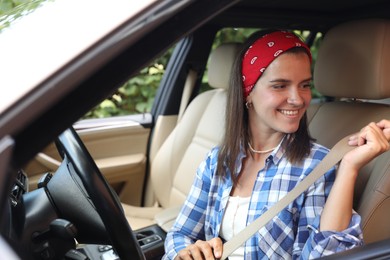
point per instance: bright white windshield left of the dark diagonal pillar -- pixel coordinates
(38, 44)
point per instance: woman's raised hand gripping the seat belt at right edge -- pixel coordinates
(371, 141)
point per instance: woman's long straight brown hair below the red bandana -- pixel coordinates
(237, 132)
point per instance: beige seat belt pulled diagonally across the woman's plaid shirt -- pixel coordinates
(332, 158)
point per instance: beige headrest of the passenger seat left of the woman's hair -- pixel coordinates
(221, 64)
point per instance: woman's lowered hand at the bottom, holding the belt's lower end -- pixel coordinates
(211, 249)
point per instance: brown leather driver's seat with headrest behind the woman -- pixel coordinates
(352, 66)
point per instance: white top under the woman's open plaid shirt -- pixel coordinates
(234, 221)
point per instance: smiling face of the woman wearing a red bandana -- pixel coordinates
(282, 94)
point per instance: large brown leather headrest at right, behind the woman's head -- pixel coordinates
(354, 61)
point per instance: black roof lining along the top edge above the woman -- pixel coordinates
(317, 15)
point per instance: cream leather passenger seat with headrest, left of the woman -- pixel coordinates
(200, 128)
